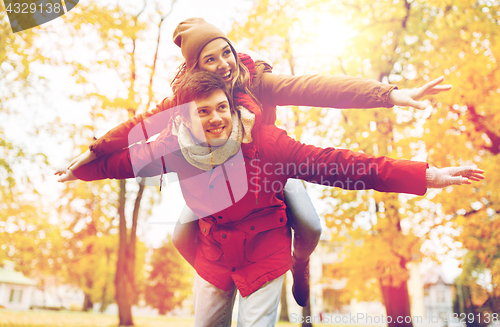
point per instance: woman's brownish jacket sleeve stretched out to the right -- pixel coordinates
(340, 92)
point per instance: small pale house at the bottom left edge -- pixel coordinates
(15, 288)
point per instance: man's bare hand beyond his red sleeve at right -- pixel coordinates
(439, 178)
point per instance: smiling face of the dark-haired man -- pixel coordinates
(210, 120)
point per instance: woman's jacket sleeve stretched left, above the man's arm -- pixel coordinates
(118, 137)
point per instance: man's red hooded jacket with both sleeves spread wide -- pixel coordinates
(244, 236)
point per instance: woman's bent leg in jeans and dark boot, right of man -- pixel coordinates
(307, 231)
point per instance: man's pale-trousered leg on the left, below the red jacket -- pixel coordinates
(212, 306)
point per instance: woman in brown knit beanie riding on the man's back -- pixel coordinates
(205, 47)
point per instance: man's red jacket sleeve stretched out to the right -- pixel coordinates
(349, 170)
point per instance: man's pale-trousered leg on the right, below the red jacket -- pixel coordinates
(260, 308)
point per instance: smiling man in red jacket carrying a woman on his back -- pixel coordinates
(222, 155)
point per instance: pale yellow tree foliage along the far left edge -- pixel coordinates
(26, 235)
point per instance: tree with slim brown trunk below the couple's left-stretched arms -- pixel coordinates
(117, 34)
